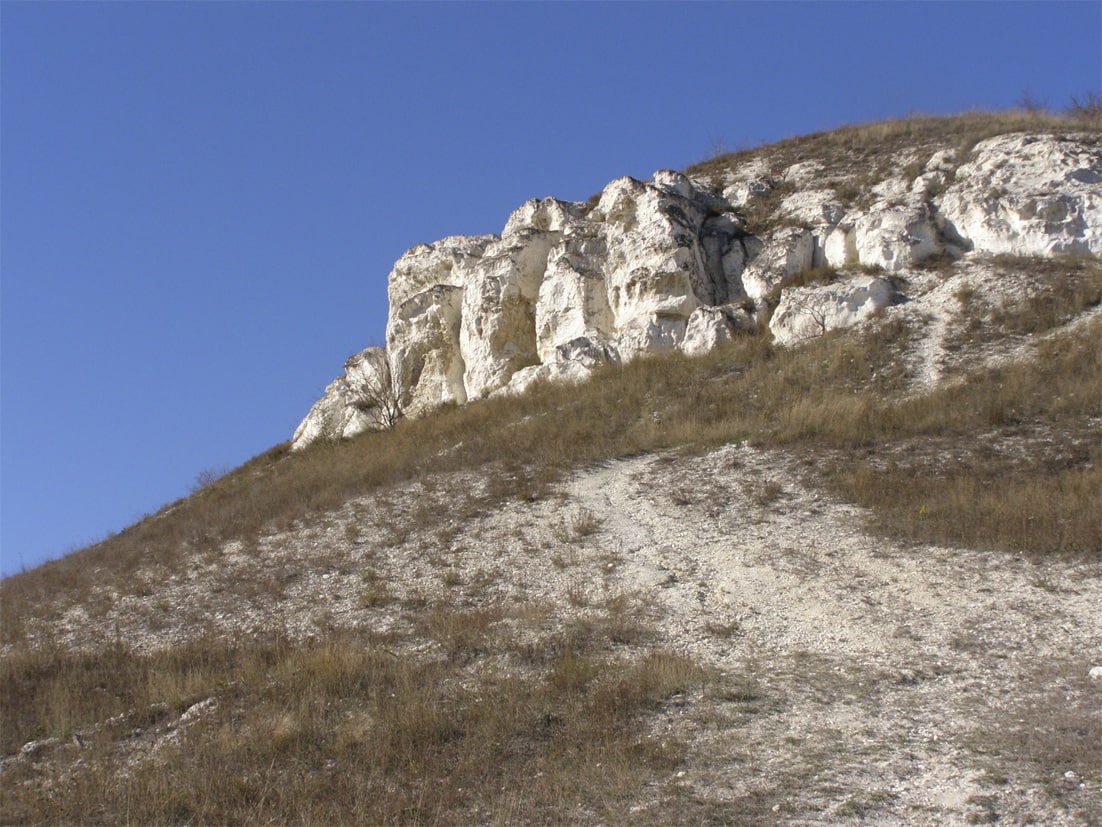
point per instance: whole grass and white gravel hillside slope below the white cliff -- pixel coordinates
(850, 579)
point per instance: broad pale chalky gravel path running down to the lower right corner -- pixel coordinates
(880, 676)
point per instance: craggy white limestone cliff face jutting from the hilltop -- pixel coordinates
(678, 263)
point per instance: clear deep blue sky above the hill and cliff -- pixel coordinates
(200, 202)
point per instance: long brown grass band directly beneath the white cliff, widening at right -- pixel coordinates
(842, 392)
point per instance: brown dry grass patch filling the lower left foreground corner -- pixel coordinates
(342, 731)
